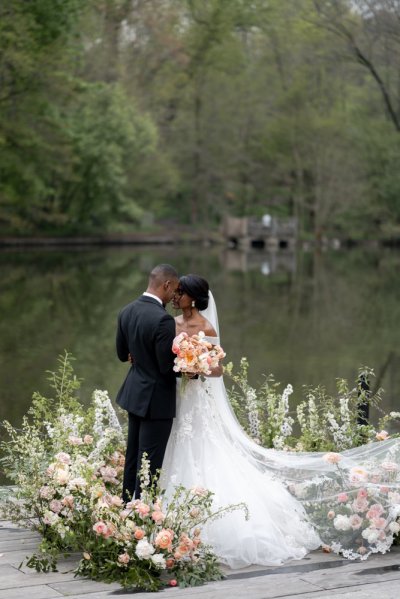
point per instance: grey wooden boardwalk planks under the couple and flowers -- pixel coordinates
(317, 575)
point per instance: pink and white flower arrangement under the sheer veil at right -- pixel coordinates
(354, 506)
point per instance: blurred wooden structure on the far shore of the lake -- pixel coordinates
(268, 232)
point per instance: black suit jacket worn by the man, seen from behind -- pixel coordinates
(146, 331)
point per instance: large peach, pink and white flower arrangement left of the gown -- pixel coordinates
(67, 464)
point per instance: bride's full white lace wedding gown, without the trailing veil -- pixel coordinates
(208, 448)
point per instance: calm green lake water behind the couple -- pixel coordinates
(307, 318)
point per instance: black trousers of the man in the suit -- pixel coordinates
(144, 436)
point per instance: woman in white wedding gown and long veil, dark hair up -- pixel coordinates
(208, 448)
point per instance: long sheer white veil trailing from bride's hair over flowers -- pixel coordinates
(352, 499)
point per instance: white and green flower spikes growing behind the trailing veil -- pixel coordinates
(322, 422)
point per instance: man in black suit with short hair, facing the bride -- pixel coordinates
(146, 331)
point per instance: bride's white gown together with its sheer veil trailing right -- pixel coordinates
(297, 501)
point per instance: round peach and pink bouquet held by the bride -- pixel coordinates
(196, 355)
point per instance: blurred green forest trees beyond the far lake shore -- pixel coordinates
(118, 115)
